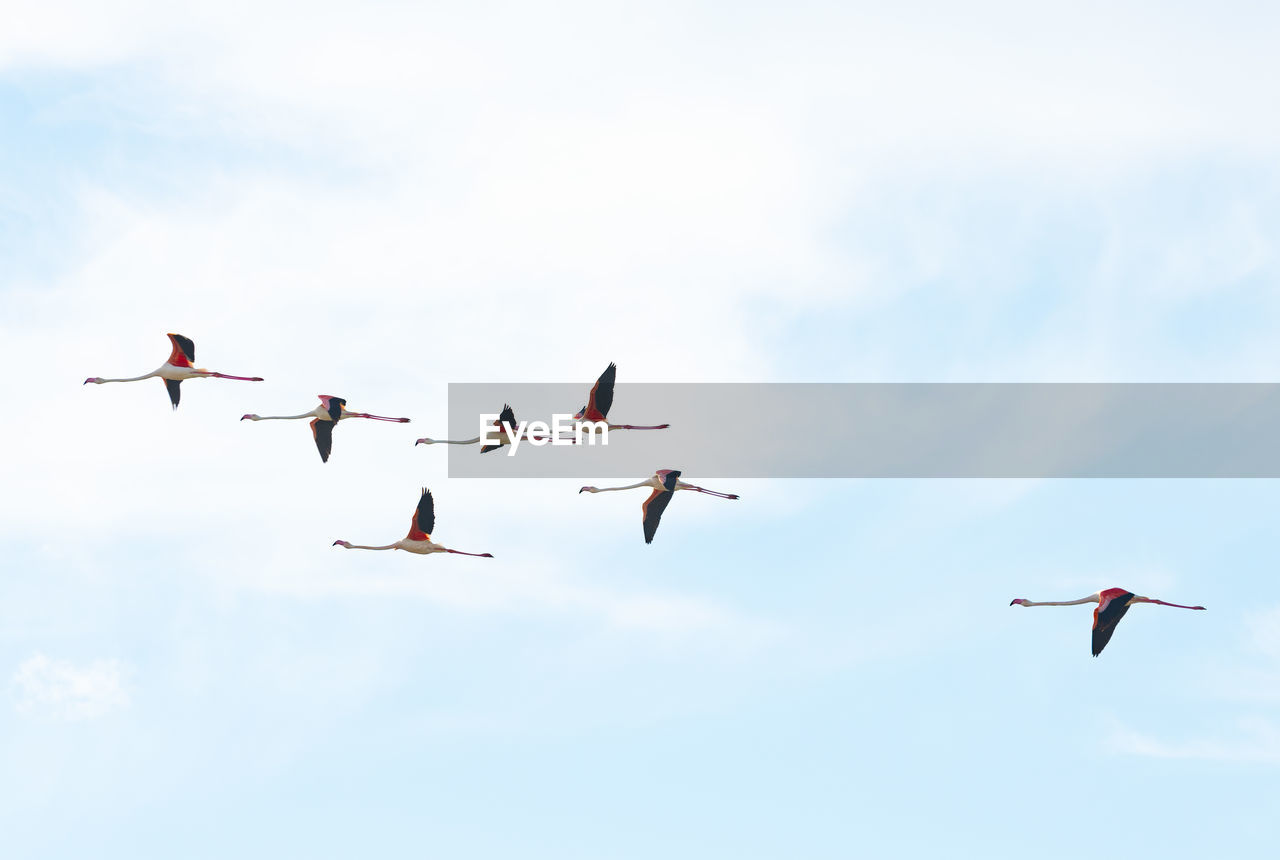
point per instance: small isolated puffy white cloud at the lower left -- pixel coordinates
(66, 692)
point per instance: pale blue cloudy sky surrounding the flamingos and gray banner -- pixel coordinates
(376, 202)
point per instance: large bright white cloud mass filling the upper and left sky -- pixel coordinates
(520, 196)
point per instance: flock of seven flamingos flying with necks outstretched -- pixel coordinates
(1113, 603)
